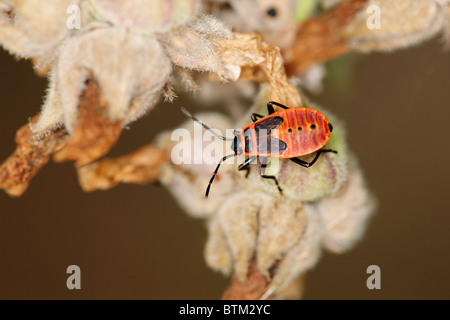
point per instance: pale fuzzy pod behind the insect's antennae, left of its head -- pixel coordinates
(188, 181)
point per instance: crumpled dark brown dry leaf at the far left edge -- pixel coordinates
(30, 156)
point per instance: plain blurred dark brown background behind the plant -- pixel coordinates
(134, 242)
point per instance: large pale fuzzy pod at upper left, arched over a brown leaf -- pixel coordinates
(130, 70)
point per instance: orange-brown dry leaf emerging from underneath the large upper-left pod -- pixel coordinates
(94, 134)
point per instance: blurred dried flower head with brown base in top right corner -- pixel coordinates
(363, 26)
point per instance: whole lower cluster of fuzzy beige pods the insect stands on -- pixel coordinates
(248, 221)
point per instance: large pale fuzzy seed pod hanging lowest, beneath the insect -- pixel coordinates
(286, 237)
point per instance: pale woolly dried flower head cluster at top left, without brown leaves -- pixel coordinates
(127, 47)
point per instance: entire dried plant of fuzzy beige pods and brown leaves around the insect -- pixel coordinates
(125, 55)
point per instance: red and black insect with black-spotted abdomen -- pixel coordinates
(287, 134)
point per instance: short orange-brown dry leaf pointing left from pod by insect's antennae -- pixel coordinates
(140, 167)
